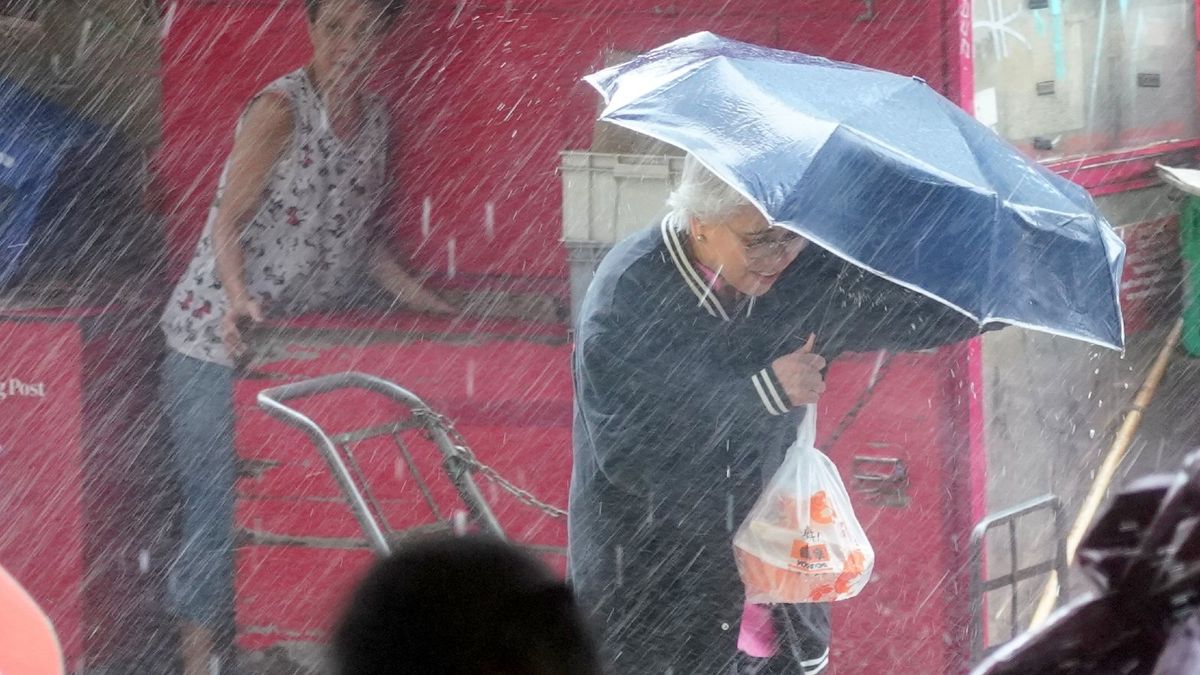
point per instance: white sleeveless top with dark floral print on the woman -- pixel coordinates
(305, 247)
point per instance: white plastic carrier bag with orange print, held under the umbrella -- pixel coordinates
(802, 542)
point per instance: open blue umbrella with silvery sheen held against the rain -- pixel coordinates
(883, 171)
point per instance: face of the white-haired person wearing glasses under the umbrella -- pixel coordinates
(751, 253)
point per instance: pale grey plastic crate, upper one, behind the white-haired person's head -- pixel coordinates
(607, 198)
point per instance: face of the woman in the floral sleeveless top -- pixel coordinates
(346, 38)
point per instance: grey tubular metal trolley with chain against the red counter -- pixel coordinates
(458, 459)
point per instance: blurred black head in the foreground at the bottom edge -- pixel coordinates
(463, 606)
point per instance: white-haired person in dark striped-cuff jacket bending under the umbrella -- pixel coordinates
(699, 343)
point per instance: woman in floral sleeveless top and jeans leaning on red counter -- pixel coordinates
(290, 231)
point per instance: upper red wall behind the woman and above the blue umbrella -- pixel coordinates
(485, 97)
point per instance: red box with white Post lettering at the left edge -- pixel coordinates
(86, 513)
